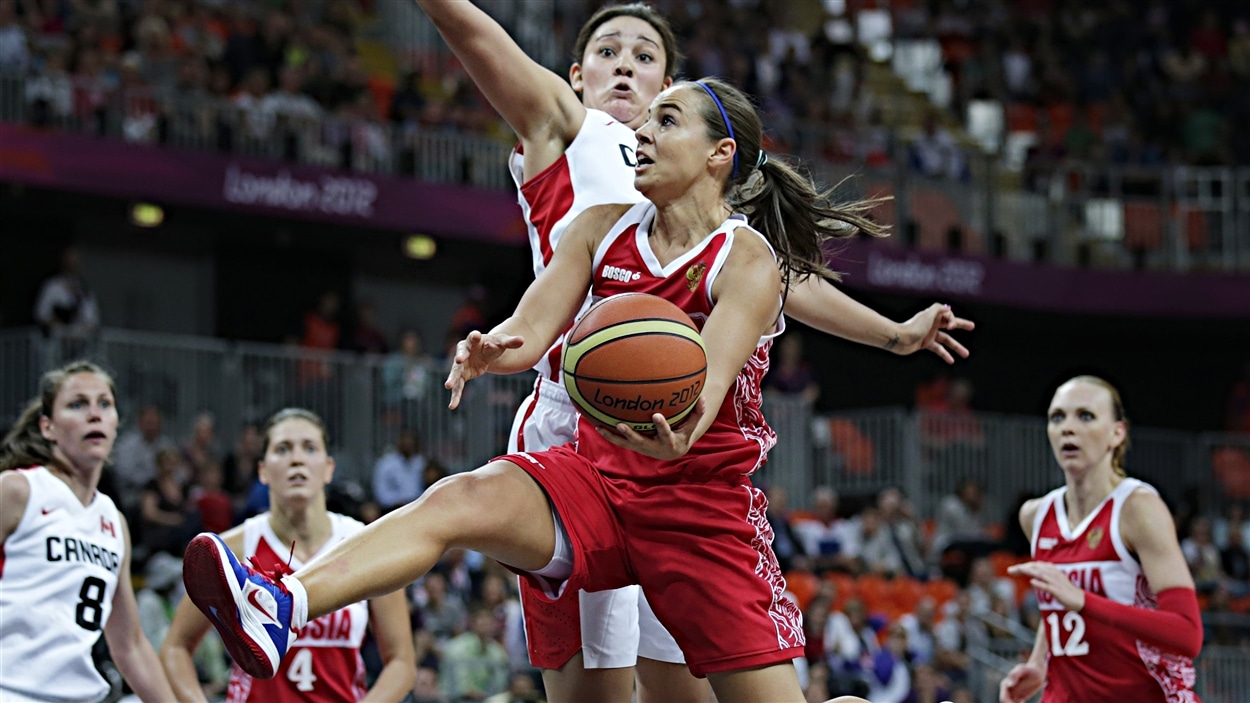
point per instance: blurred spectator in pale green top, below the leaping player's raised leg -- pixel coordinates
(476, 665)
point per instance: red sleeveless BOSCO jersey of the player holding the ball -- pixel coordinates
(739, 440)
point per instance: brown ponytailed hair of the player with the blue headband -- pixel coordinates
(779, 202)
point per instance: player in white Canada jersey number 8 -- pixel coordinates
(66, 556)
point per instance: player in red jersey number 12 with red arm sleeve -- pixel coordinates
(1119, 617)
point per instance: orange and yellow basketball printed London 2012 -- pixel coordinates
(633, 356)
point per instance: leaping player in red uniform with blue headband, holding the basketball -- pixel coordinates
(672, 512)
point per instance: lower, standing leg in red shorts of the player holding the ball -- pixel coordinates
(726, 611)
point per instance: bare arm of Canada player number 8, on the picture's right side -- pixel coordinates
(131, 650)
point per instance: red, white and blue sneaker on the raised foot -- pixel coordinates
(252, 610)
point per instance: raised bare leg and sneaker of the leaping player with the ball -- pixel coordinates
(498, 510)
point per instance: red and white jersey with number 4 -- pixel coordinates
(324, 664)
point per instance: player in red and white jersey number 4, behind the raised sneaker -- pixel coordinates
(324, 665)
